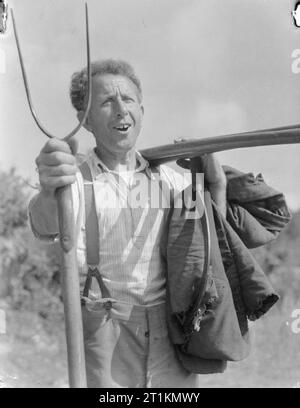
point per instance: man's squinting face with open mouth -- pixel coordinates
(116, 113)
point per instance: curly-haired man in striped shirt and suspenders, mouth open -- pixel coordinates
(131, 347)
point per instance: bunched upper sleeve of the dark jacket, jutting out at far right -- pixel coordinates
(255, 210)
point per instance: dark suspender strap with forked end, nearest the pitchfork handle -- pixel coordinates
(92, 234)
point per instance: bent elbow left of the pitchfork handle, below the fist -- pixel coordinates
(43, 214)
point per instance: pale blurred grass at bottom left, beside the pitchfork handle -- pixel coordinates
(33, 352)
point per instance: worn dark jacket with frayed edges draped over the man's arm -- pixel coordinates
(237, 288)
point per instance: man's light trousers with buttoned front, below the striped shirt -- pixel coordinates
(127, 346)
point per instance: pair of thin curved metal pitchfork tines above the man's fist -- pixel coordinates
(89, 76)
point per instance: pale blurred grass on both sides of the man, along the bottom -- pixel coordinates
(33, 352)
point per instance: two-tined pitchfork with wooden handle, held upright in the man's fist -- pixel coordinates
(69, 268)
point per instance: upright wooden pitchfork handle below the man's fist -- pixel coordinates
(70, 289)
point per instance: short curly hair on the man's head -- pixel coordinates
(108, 66)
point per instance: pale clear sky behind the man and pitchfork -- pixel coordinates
(208, 67)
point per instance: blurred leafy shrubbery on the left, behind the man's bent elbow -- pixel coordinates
(29, 269)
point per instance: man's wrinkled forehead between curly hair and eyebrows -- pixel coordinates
(107, 84)
